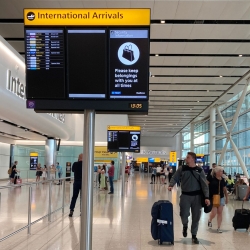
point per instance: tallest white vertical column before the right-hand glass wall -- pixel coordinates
(212, 135)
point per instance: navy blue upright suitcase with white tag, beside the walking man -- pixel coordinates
(162, 225)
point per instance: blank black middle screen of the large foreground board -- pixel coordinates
(87, 63)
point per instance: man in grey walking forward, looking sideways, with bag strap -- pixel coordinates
(193, 185)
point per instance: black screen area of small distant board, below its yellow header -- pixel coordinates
(124, 141)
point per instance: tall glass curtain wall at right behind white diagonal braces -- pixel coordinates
(240, 136)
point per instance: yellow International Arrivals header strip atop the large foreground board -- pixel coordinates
(91, 17)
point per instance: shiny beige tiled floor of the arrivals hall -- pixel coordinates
(117, 224)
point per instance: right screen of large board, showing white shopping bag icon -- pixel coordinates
(129, 60)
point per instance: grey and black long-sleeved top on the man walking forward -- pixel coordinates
(189, 183)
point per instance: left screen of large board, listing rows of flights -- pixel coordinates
(45, 70)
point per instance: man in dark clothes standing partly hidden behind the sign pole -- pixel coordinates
(77, 169)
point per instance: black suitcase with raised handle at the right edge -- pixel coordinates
(241, 218)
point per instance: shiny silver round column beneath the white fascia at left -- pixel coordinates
(50, 153)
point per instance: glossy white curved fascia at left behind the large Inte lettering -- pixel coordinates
(12, 108)
